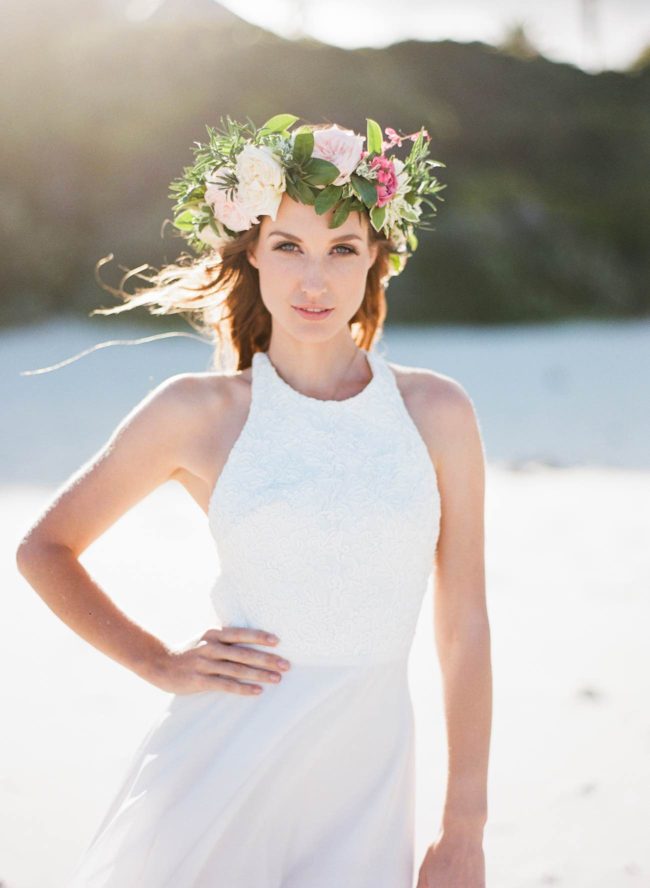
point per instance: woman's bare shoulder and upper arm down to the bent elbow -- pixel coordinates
(173, 432)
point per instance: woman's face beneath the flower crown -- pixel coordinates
(302, 262)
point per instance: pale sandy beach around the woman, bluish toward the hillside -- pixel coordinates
(565, 422)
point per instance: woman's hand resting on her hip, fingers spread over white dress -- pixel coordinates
(218, 661)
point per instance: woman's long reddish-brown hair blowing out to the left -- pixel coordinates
(219, 295)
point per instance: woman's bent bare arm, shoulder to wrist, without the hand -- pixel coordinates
(141, 454)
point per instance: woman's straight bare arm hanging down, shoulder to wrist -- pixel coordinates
(461, 625)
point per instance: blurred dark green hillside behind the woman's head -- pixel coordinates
(547, 204)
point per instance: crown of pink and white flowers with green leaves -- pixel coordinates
(242, 173)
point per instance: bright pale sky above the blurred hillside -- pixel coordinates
(593, 34)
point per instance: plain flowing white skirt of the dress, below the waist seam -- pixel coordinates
(310, 784)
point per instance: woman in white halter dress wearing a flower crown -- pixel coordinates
(333, 482)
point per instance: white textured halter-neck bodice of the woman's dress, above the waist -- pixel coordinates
(326, 517)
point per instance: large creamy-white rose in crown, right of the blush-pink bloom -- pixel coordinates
(261, 181)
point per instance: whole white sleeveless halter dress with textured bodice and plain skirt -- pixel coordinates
(326, 519)
